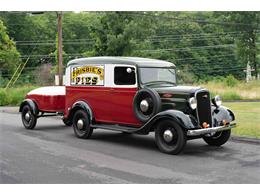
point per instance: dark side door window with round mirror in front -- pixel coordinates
(124, 75)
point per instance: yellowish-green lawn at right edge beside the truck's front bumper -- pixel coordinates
(247, 117)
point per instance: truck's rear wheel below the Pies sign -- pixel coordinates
(81, 125)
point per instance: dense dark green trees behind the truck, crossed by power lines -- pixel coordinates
(202, 45)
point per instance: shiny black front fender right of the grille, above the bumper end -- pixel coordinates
(221, 113)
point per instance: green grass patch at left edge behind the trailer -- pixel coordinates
(14, 96)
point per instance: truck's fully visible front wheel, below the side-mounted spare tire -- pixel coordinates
(170, 137)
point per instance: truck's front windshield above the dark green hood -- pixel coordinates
(153, 75)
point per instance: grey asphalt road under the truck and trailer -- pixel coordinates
(52, 154)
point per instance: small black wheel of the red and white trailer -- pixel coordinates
(28, 118)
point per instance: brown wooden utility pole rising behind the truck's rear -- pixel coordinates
(60, 66)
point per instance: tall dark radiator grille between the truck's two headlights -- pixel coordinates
(203, 107)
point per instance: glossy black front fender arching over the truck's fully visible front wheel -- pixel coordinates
(184, 120)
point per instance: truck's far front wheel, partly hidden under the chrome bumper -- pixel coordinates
(218, 139)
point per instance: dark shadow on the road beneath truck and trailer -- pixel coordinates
(133, 141)
